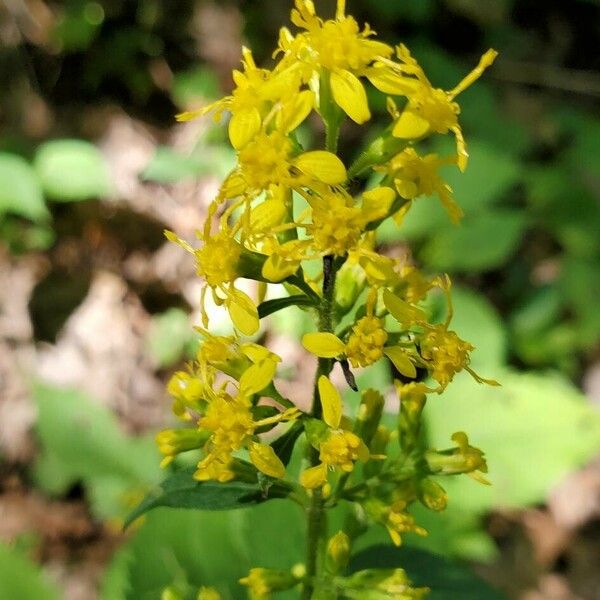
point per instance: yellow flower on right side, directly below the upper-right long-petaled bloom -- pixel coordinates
(415, 176)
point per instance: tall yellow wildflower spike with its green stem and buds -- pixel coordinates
(282, 206)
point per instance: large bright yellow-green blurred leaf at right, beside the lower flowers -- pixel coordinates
(534, 430)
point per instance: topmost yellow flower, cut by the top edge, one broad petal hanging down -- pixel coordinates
(337, 47)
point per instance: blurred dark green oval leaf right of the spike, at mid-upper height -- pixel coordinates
(481, 243)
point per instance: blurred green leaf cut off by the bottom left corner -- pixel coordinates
(22, 579)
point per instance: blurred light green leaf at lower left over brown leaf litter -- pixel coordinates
(81, 441)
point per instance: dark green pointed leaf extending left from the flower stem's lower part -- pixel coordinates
(181, 490)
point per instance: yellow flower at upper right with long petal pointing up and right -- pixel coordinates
(428, 109)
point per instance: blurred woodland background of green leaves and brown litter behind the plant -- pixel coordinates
(96, 308)
